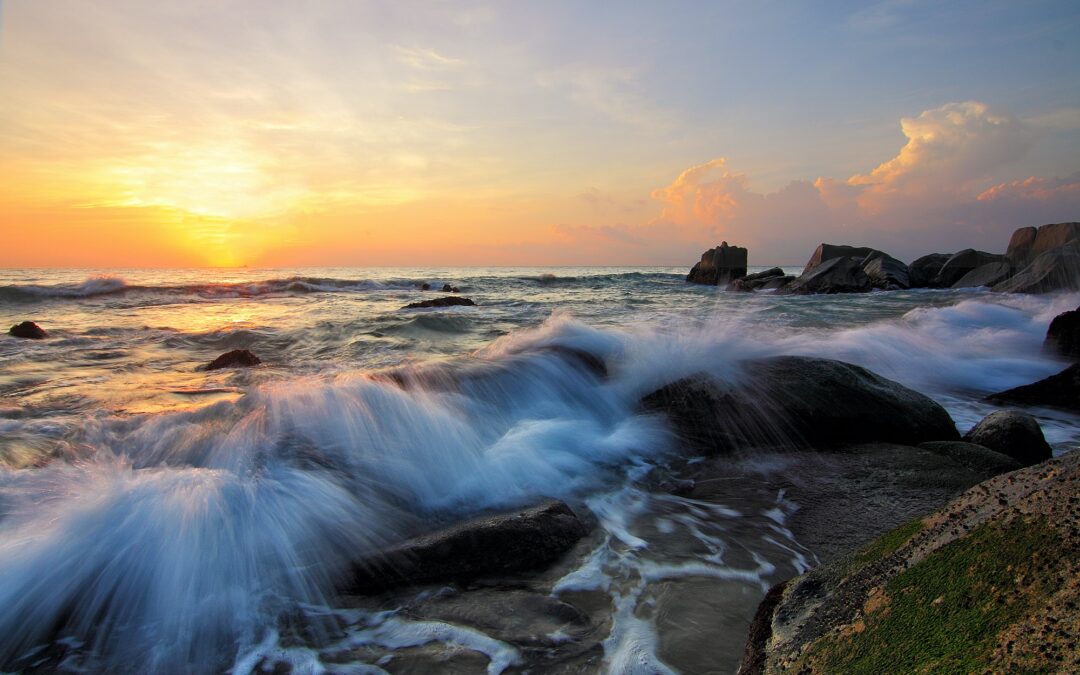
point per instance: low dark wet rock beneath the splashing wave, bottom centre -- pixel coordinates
(492, 545)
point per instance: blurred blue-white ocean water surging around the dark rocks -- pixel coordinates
(173, 517)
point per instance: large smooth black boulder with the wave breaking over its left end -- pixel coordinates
(802, 402)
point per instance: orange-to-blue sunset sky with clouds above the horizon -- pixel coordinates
(281, 134)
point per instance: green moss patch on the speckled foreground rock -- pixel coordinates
(944, 614)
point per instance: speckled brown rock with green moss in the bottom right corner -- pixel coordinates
(990, 583)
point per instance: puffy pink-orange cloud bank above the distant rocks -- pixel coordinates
(935, 195)
